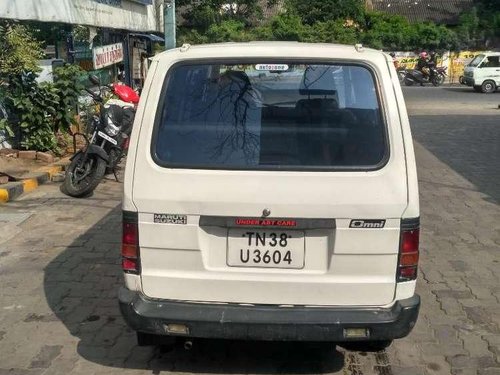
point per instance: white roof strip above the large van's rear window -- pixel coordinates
(272, 50)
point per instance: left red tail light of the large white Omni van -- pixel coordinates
(130, 243)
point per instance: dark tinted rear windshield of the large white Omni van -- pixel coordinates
(270, 116)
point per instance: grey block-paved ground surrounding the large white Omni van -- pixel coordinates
(59, 272)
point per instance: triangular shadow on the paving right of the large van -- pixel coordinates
(468, 144)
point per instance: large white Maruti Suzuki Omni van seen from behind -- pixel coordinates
(271, 194)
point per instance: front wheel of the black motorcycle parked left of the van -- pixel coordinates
(82, 177)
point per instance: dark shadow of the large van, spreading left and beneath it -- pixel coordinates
(81, 286)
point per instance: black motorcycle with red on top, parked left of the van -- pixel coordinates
(106, 139)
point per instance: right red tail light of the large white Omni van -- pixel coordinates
(408, 250)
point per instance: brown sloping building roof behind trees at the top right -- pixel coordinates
(438, 11)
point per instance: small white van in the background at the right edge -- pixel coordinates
(483, 72)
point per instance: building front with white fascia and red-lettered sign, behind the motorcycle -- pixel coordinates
(120, 33)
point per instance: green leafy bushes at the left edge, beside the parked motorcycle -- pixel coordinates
(39, 110)
